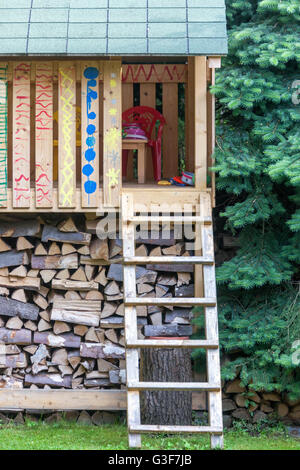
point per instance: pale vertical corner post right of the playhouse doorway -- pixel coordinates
(200, 123)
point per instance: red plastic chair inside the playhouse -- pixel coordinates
(146, 118)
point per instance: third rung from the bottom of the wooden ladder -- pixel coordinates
(173, 343)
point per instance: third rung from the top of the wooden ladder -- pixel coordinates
(136, 301)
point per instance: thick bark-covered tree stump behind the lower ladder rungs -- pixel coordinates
(166, 407)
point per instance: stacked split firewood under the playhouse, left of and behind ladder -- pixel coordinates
(61, 302)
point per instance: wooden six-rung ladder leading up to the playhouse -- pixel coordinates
(204, 231)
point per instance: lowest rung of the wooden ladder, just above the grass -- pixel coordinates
(141, 428)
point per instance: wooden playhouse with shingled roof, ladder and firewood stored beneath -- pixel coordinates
(69, 70)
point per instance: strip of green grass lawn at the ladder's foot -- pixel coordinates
(66, 436)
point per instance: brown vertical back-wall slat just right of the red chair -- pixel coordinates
(170, 133)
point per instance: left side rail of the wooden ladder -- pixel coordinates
(132, 355)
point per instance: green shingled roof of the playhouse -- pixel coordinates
(108, 27)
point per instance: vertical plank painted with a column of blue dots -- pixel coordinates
(90, 134)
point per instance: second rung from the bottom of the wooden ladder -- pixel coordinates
(188, 386)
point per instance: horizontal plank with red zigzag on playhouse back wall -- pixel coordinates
(154, 73)
